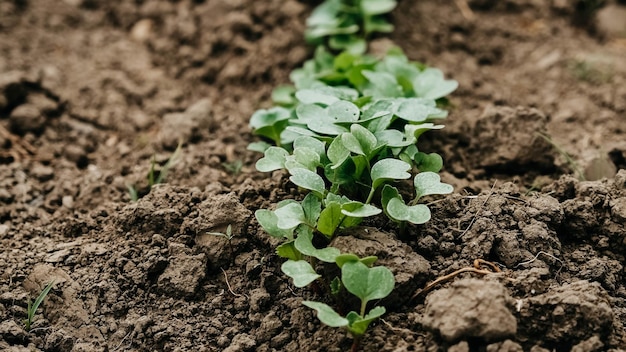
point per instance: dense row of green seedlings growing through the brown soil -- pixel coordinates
(346, 132)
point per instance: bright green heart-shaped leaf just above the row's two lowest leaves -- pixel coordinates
(367, 283)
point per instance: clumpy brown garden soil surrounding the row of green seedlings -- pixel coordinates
(92, 93)
